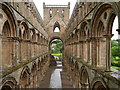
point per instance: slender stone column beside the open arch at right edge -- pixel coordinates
(108, 51)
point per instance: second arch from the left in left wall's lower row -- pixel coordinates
(25, 77)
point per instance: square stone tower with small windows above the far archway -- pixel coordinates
(56, 16)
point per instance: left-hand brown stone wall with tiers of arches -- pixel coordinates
(24, 54)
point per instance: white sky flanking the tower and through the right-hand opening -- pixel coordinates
(39, 5)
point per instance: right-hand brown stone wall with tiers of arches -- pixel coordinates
(88, 36)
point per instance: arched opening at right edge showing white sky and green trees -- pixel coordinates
(115, 47)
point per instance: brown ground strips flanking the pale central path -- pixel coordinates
(65, 82)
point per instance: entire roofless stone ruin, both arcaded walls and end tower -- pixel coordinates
(25, 38)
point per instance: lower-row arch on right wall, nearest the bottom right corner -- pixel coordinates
(99, 84)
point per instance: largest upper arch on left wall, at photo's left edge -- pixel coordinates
(8, 31)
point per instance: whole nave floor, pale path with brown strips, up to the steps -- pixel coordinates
(56, 77)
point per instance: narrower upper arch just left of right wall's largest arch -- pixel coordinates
(85, 38)
